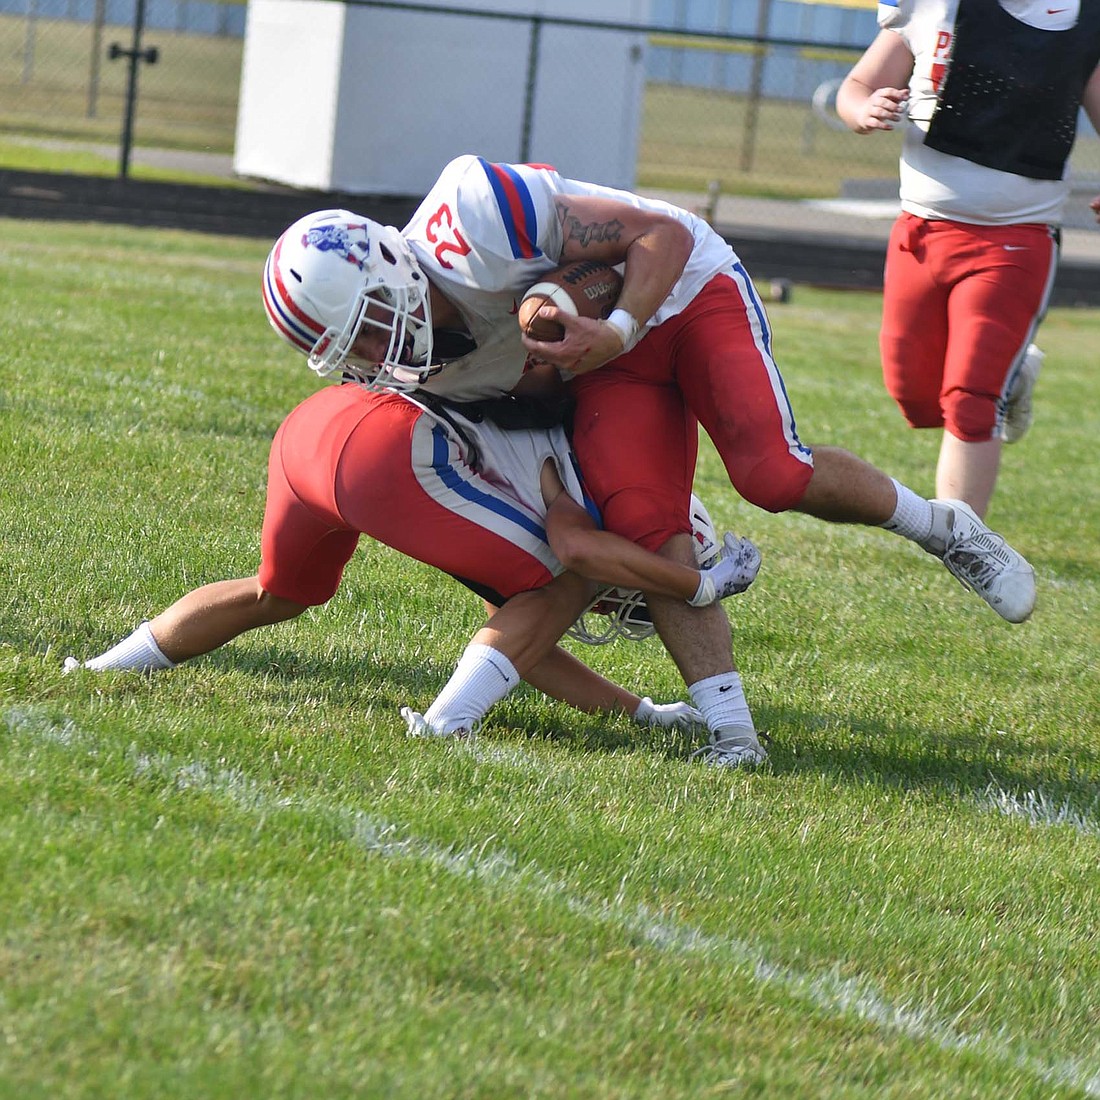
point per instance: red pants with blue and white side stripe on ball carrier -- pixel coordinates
(636, 426)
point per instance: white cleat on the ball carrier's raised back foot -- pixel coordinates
(985, 564)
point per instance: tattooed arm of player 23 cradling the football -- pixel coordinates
(654, 249)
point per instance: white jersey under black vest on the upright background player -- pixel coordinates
(934, 184)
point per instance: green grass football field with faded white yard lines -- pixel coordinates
(240, 879)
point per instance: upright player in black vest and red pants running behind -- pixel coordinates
(993, 92)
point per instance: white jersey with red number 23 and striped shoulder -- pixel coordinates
(486, 233)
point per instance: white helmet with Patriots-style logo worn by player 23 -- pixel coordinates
(332, 274)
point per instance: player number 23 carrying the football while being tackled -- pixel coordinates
(431, 310)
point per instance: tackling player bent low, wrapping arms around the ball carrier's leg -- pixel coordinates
(500, 511)
